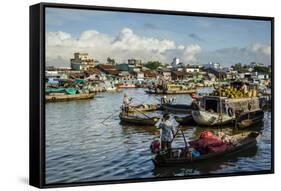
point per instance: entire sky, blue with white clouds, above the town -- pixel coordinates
(120, 35)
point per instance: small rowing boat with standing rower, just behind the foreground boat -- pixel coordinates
(138, 120)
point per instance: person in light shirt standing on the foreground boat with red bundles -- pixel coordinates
(167, 132)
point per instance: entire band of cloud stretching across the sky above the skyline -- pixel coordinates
(60, 47)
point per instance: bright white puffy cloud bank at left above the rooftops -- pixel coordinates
(127, 44)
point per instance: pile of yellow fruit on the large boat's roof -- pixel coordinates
(230, 92)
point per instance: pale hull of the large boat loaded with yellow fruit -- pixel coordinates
(206, 118)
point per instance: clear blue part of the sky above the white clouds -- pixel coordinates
(210, 34)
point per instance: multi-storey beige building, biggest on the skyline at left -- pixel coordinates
(81, 61)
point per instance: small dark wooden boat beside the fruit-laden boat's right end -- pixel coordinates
(251, 119)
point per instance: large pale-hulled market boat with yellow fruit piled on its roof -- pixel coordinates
(224, 109)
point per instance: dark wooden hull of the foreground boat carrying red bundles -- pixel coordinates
(244, 141)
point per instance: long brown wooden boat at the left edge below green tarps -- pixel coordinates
(68, 97)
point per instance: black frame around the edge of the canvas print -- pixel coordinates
(37, 89)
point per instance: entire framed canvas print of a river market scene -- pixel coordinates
(123, 95)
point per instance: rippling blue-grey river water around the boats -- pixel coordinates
(79, 148)
